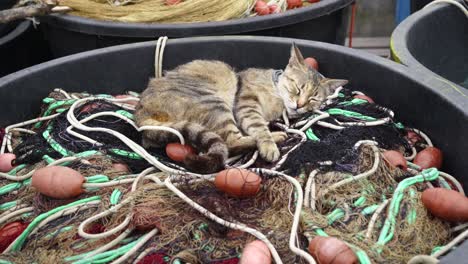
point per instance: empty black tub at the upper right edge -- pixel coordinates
(434, 41)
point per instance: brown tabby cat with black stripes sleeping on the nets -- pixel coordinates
(223, 113)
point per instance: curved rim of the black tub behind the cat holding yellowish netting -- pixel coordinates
(176, 30)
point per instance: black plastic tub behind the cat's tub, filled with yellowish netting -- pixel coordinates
(324, 21)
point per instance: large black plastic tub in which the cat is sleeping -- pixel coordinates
(416, 102)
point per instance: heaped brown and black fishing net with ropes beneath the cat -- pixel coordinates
(139, 206)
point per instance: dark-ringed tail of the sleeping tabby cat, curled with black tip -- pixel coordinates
(215, 151)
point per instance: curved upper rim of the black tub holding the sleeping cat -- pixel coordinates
(439, 87)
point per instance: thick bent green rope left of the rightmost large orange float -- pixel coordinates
(388, 229)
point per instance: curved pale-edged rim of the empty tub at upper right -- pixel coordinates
(401, 54)
